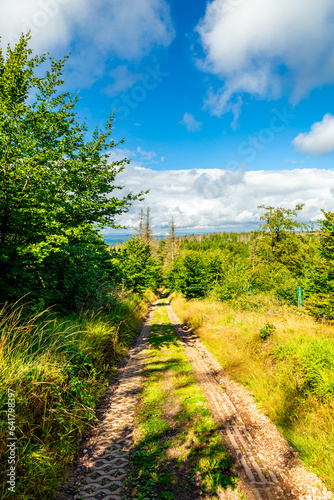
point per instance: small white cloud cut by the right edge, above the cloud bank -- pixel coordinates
(319, 141)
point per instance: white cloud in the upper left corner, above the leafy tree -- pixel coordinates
(95, 29)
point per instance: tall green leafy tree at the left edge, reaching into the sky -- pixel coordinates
(56, 187)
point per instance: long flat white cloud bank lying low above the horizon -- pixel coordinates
(221, 200)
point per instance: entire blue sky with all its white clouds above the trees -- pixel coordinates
(224, 105)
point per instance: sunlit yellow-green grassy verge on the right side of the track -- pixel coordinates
(285, 358)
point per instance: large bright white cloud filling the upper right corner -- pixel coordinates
(266, 48)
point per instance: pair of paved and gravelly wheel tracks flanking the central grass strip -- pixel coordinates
(266, 466)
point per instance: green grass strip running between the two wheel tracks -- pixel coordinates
(178, 452)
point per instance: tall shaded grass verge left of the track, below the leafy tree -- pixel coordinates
(58, 370)
